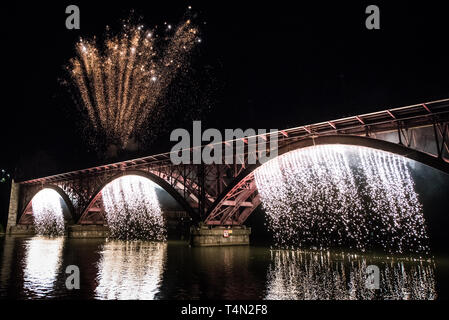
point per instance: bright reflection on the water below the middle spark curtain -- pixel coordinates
(130, 270)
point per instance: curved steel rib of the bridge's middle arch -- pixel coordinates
(93, 203)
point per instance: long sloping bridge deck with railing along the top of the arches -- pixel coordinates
(423, 114)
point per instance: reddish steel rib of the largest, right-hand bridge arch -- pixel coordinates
(241, 197)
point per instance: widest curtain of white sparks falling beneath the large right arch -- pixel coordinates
(342, 196)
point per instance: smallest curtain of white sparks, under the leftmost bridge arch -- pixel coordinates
(48, 213)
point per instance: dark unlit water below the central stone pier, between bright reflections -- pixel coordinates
(229, 273)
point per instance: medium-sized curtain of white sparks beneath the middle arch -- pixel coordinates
(132, 209)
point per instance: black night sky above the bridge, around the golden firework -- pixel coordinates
(259, 66)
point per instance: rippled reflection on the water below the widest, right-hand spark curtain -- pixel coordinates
(300, 275)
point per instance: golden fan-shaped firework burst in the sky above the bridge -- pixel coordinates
(120, 83)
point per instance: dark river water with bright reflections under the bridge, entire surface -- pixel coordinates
(34, 268)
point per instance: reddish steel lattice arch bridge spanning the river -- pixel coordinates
(222, 194)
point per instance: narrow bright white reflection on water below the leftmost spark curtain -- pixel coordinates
(41, 265)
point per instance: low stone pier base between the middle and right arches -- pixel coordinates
(206, 236)
